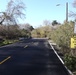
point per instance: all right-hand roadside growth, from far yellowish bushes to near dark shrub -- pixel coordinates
(61, 34)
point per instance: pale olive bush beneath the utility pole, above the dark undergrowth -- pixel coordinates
(63, 34)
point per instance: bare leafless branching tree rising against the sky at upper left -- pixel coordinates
(13, 12)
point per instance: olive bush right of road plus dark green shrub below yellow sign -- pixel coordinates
(62, 36)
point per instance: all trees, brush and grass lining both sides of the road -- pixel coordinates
(61, 34)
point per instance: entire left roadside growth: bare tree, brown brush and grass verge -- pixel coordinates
(10, 29)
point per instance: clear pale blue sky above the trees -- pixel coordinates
(38, 11)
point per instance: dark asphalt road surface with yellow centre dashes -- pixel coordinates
(30, 57)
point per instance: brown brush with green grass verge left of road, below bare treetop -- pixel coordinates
(12, 33)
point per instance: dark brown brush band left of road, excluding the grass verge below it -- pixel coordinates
(14, 32)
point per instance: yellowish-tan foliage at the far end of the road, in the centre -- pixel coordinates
(41, 32)
